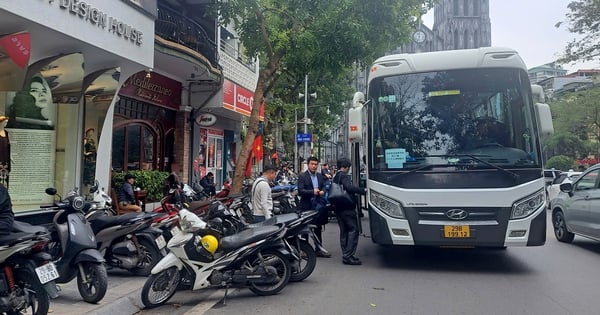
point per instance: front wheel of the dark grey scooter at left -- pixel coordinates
(94, 289)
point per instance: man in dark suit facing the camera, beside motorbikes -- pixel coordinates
(311, 191)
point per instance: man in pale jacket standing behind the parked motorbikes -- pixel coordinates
(262, 201)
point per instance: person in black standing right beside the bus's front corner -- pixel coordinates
(346, 214)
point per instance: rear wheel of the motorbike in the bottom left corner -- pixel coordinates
(39, 302)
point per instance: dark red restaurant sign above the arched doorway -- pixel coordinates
(153, 88)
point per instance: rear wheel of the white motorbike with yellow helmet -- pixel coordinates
(281, 276)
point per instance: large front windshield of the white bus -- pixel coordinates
(481, 118)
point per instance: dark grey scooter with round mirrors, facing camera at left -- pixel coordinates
(73, 247)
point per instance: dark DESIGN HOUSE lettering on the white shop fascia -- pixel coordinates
(95, 16)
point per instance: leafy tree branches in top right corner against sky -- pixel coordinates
(584, 20)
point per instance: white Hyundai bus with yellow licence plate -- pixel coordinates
(453, 151)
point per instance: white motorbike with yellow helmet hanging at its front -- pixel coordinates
(254, 258)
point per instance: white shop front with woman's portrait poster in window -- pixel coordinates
(61, 65)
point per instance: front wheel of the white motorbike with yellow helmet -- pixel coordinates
(160, 287)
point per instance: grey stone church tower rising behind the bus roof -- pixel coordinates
(462, 24)
